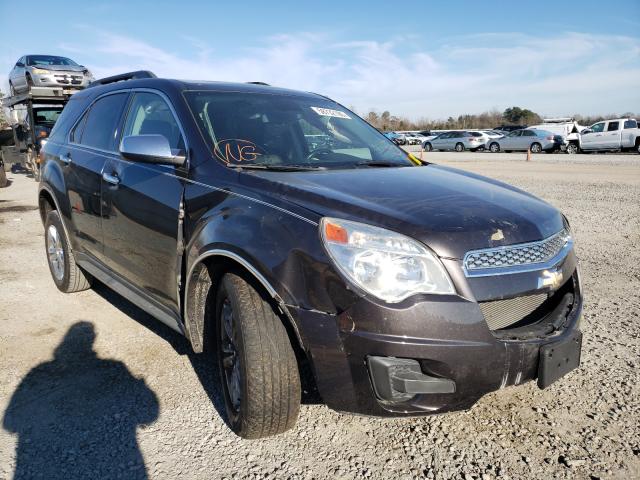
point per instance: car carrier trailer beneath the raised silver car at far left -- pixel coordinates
(32, 116)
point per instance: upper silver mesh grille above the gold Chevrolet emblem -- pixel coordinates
(516, 255)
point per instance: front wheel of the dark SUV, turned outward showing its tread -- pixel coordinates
(258, 367)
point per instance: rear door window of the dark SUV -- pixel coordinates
(101, 125)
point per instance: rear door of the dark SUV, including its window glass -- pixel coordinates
(91, 144)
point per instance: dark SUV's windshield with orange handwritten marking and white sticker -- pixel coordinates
(282, 130)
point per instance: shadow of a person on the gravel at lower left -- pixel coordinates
(76, 415)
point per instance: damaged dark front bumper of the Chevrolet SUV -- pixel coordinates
(436, 354)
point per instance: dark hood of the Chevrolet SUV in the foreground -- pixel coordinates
(450, 210)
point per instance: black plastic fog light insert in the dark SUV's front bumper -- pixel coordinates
(399, 379)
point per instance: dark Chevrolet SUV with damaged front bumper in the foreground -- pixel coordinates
(402, 288)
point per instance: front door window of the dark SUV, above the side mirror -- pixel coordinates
(150, 114)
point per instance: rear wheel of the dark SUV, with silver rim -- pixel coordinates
(65, 273)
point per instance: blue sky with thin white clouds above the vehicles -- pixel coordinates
(417, 59)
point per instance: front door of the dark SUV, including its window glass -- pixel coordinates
(141, 205)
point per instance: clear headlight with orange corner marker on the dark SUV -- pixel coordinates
(385, 264)
